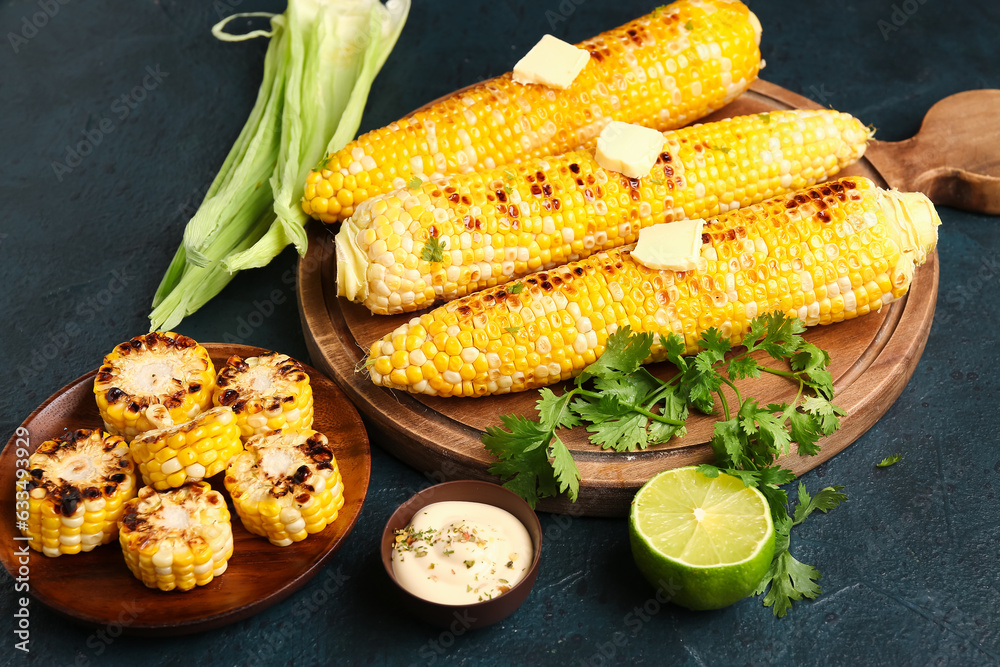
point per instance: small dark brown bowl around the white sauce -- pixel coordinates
(477, 614)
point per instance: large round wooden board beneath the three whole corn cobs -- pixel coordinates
(873, 357)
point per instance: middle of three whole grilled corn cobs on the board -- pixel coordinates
(401, 251)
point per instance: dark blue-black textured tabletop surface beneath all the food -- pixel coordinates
(909, 564)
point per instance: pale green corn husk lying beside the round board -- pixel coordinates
(318, 71)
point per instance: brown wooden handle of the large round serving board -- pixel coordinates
(955, 157)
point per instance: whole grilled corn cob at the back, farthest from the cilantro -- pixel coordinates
(662, 70)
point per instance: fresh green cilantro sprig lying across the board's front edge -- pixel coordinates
(625, 408)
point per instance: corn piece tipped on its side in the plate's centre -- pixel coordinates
(170, 456)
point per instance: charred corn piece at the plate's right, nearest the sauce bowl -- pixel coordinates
(286, 485)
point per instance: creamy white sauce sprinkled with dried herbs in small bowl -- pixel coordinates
(461, 552)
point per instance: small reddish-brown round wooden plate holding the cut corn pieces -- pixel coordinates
(97, 588)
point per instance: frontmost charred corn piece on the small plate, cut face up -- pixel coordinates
(180, 538)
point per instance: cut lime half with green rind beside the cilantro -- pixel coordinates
(704, 542)
